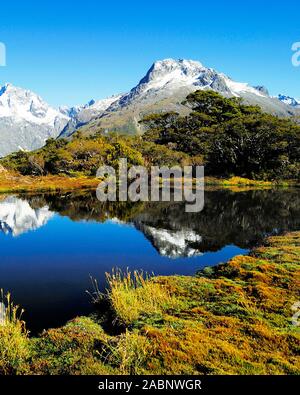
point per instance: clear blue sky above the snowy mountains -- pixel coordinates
(70, 52)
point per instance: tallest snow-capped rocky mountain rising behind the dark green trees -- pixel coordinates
(166, 85)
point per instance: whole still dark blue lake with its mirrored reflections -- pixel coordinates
(50, 245)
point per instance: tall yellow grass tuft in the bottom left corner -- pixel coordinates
(14, 344)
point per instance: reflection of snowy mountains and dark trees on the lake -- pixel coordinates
(242, 219)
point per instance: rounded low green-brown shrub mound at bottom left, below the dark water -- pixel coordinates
(75, 349)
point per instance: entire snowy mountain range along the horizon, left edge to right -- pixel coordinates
(26, 121)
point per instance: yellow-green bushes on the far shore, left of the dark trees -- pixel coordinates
(78, 157)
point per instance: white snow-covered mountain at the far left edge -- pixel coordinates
(26, 121)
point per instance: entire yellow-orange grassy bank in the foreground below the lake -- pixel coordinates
(235, 318)
